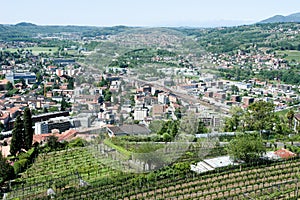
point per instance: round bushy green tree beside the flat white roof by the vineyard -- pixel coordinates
(247, 147)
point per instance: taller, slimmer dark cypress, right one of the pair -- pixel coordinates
(28, 130)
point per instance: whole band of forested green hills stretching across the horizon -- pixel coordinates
(274, 36)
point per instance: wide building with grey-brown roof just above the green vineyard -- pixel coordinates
(129, 129)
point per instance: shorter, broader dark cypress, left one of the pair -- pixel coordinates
(17, 141)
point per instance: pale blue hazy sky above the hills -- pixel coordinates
(142, 12)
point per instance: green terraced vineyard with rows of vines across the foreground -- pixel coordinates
(105, 178)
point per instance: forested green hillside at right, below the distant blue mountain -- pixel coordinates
(273, 36)
